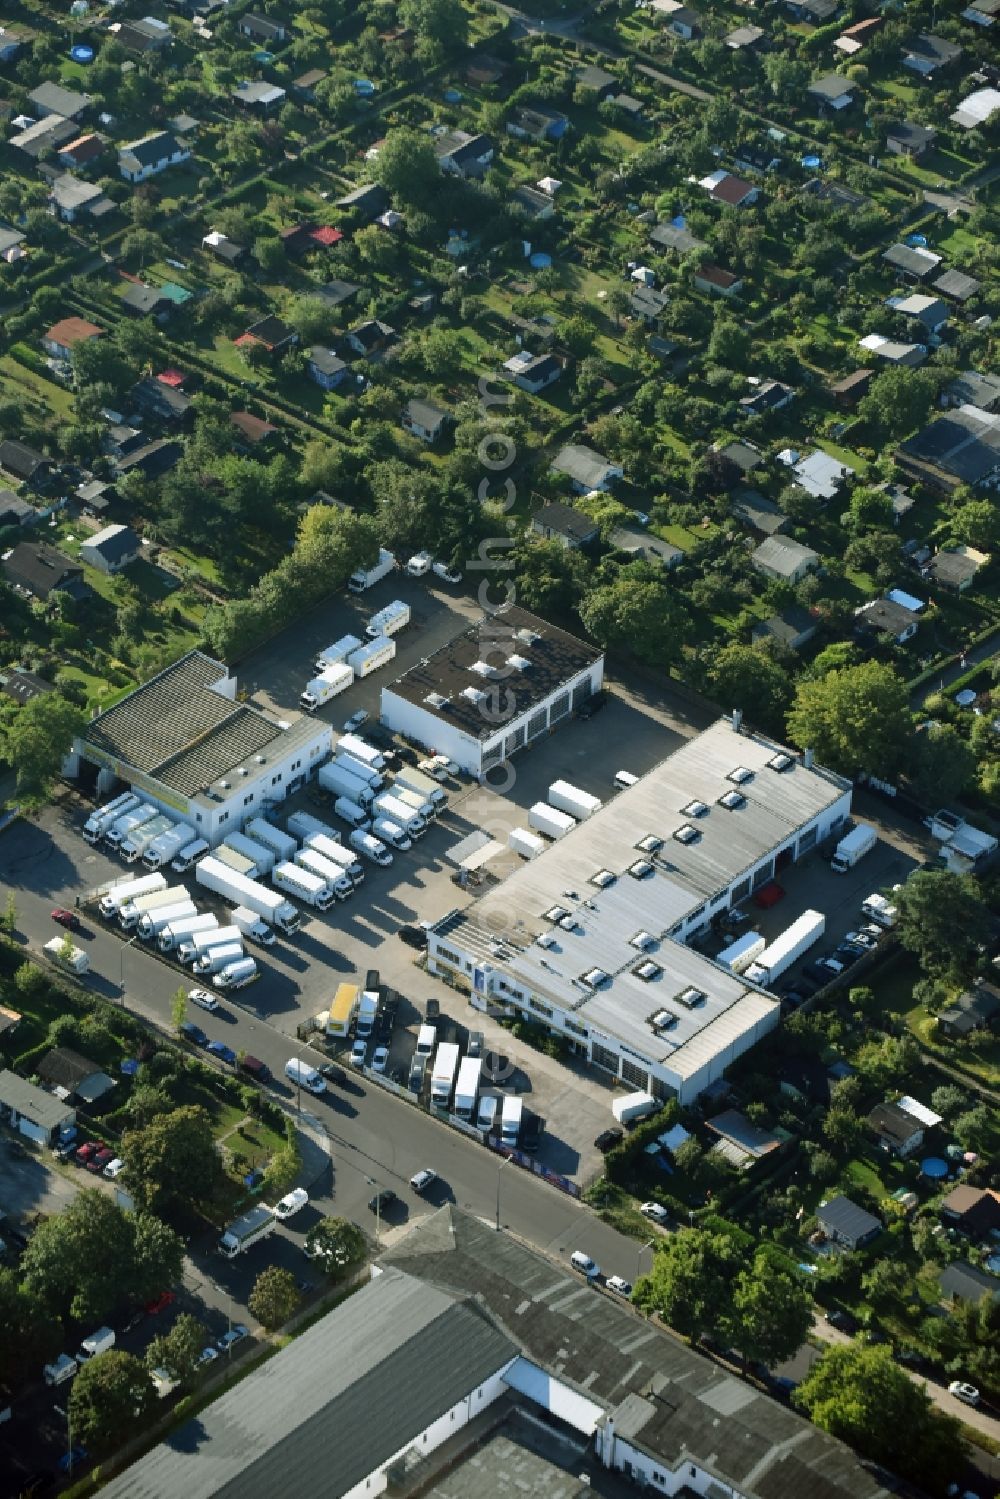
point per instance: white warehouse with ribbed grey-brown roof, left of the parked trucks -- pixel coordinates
(187, 744)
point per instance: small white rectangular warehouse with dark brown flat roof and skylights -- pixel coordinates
(503, 683)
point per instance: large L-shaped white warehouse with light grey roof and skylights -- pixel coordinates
(590, 938)
